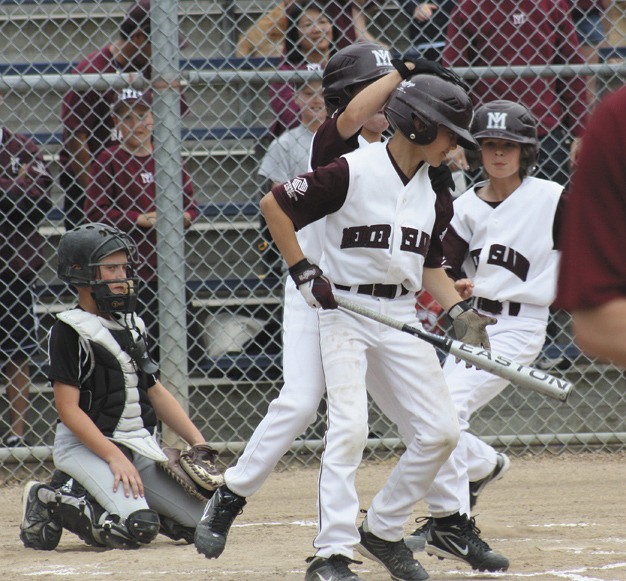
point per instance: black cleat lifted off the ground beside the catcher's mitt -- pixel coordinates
(219, 514)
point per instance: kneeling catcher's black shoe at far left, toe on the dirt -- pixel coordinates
(38, 529)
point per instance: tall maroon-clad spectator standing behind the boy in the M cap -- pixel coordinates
(86, 115)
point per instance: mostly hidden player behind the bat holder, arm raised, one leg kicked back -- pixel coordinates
(358, 120)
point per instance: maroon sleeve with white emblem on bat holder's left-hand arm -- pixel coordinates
(314, 195)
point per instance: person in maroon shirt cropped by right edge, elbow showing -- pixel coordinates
(592, 277)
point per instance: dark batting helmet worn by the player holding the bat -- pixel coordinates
(433, 101)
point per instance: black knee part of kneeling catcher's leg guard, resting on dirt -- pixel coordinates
(140, 527)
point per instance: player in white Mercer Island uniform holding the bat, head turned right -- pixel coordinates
(382, 244)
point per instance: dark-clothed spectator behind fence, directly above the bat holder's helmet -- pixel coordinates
(428, 22)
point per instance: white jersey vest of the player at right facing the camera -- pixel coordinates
(511, 247)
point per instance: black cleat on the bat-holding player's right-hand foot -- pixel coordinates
(394, 556)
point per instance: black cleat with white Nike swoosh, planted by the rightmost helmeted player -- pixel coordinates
(461, 542)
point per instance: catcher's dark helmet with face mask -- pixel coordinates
(80, 252)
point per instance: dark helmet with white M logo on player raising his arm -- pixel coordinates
(353, 65)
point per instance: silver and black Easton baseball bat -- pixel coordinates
(522, 375)
